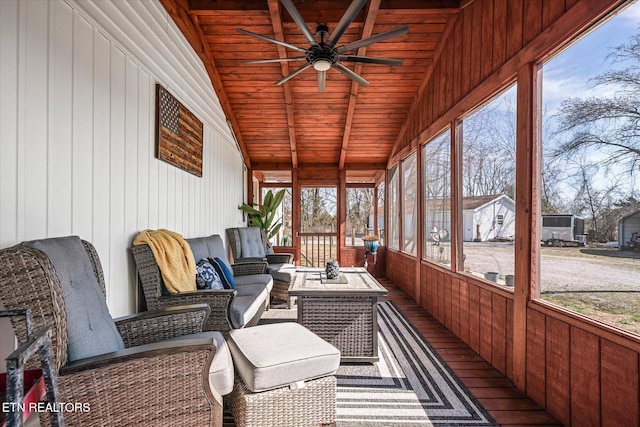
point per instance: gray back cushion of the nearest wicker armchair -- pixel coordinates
(90, 327)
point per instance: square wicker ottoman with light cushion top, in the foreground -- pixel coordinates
(284, 377)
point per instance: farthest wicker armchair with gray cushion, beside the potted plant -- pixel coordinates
(279, 265)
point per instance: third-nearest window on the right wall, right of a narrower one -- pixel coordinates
(437, 199)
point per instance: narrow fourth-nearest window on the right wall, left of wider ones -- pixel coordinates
(409, 204)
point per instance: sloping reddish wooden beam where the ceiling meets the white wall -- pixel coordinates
(190, 28)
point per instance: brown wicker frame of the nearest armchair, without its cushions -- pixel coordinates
(150, 382)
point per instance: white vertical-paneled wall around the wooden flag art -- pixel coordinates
(77, 117)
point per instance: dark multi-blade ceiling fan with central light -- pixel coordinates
(323, 53)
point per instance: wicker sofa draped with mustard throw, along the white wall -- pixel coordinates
(230, 308)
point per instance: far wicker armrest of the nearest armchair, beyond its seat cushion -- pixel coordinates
(158, 325)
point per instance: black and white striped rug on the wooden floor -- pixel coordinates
(409, 386)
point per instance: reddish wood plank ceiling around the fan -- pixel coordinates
(348, 126)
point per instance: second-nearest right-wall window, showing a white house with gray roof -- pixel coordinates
(488, 186)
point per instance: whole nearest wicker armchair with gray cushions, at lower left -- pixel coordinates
(61, 282)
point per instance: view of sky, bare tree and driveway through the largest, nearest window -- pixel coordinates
(590, 255)
